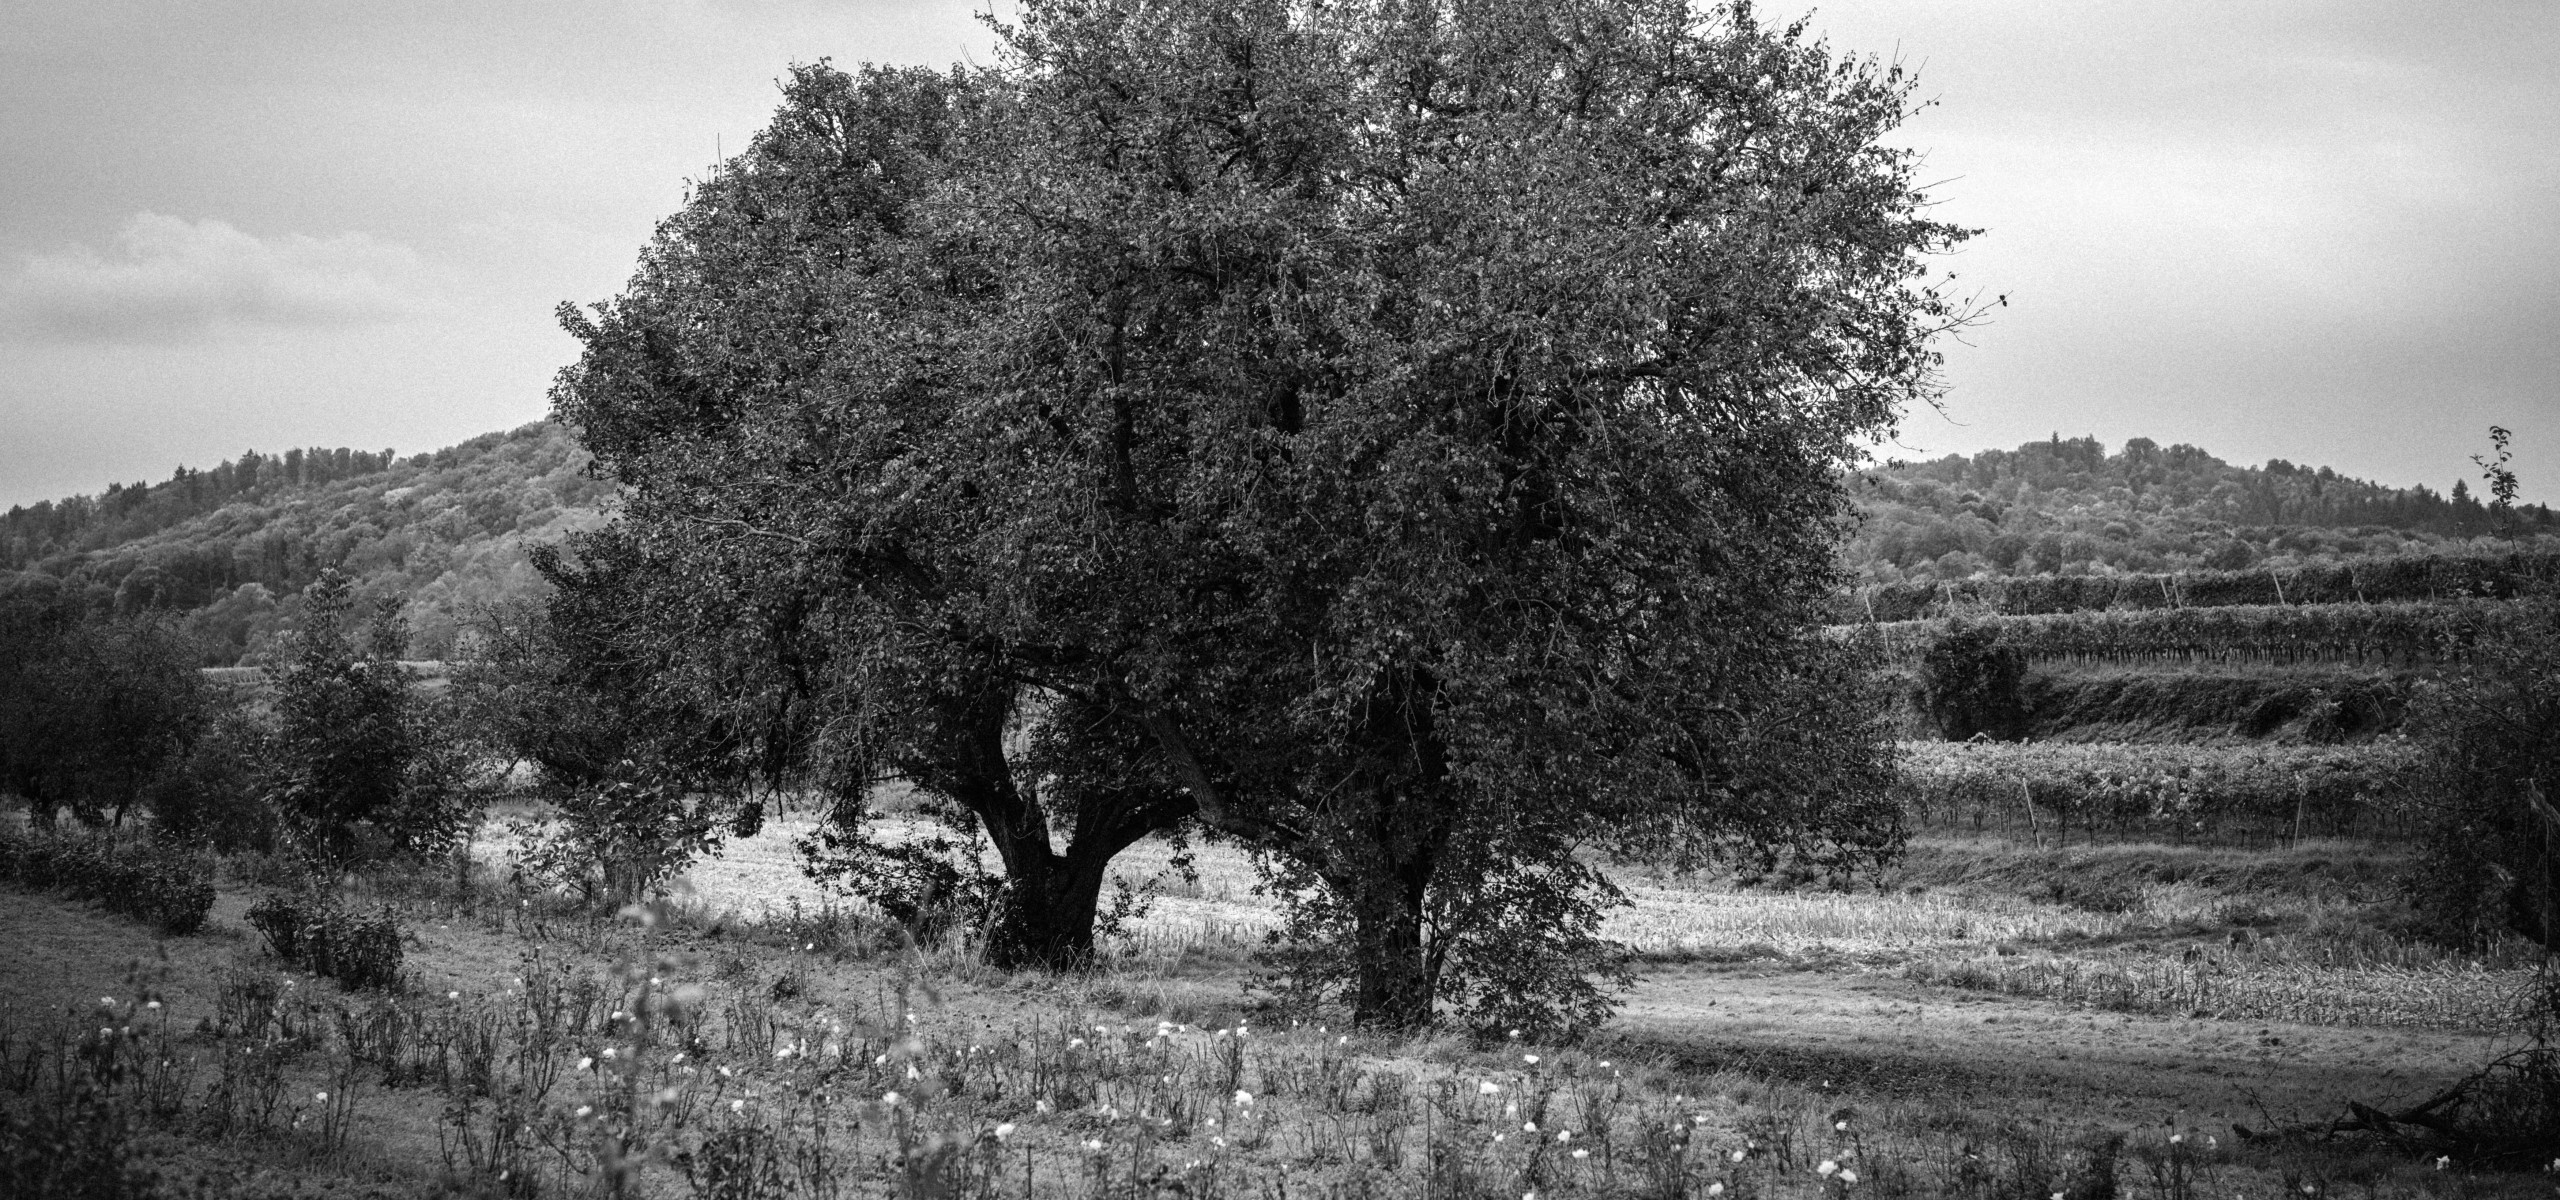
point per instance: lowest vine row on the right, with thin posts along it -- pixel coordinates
(2157, 789)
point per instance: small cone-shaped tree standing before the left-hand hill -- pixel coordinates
(362, 766)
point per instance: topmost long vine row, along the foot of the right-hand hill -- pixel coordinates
(2400, 580)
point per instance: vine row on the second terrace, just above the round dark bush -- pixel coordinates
(2262, 636)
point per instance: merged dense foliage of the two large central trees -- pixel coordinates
(1404, 439)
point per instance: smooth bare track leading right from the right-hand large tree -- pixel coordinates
(1883, 1035)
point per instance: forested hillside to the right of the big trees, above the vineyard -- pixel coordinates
(2072, 508)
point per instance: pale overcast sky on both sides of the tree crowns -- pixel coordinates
(2316, 232)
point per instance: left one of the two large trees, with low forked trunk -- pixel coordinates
(777, 395)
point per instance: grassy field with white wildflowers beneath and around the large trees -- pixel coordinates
(1988, 1020)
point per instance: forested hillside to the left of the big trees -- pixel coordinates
(232, 546)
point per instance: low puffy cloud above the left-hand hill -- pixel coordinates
(173, 280)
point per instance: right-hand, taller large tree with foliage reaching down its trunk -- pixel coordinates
(1427, 421)
